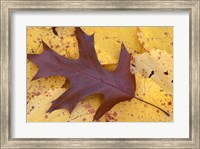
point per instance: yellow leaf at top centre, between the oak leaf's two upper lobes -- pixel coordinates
(108, 42)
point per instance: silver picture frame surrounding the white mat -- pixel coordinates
(10, 6)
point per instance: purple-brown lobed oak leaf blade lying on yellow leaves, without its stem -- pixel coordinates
(87, 76)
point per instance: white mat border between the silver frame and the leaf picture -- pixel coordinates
(177, 129)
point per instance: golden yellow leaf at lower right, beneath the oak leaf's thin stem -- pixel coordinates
(137, 111)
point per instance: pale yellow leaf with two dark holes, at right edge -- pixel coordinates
(157, 65)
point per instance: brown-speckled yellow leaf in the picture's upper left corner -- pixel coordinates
(62, 40)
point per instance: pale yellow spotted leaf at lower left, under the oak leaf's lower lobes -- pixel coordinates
(38, 106)
